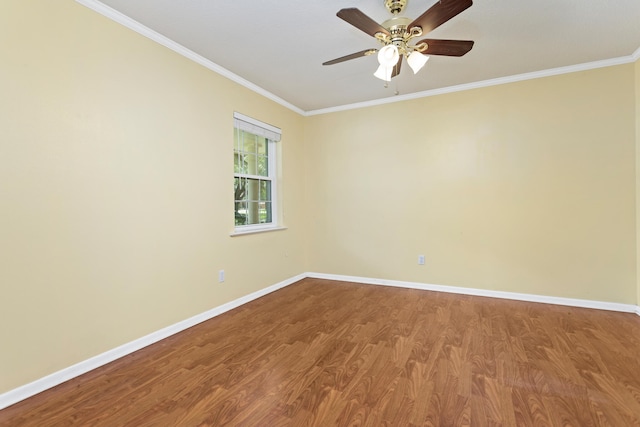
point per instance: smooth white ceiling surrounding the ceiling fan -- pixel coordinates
(280, 45)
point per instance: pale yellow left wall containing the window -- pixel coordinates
(115, 189)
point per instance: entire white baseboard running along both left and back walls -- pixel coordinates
(16, 395)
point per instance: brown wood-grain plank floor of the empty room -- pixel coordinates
(323, 353)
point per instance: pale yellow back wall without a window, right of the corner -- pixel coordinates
(525, 187)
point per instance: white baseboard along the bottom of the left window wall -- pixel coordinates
(16, 395)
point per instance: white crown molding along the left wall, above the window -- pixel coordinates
(134, 25)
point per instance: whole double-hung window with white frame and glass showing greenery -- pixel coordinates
(254, 174)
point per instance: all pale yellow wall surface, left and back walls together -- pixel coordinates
(115, 206)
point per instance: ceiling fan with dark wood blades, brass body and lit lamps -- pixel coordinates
(396, 33)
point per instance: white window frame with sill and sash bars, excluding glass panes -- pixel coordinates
(272, 136)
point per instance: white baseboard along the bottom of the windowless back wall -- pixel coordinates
(611, 306)
